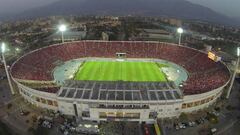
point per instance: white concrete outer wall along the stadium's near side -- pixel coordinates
(164, 109)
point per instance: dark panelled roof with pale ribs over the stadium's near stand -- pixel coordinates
(127, 91)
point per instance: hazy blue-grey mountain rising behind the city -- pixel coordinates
(171, 8)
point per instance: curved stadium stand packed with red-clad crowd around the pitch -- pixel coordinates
(39, 64)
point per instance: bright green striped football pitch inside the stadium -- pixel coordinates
(116, 71)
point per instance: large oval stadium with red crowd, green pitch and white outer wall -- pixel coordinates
(120, 80)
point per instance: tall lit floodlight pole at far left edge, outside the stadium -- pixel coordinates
(3, 48)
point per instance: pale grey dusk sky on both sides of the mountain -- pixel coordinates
(226, 7)
